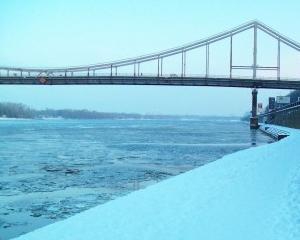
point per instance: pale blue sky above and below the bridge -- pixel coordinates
(64, 33)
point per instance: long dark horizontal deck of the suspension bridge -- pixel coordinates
(146, 80)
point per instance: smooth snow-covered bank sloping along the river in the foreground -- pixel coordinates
(251, 194)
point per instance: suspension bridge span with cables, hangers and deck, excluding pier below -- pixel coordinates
(110, 73)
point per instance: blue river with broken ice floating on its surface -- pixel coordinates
(52, 169)
